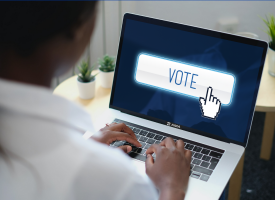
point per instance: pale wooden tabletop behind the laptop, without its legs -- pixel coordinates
(100, 103)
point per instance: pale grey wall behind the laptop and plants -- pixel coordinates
(198, 13)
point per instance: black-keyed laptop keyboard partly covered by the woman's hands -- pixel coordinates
(204, 158)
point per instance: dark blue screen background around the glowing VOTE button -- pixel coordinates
(241, 60)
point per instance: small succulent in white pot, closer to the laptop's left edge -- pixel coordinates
(106, 68)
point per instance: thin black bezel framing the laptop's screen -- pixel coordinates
(197, 30)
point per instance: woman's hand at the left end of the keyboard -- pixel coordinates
(113, 132)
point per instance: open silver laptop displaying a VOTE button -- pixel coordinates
(188, 83)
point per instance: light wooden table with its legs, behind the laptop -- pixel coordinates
(265, 103)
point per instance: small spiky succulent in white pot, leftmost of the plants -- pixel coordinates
(86, 81)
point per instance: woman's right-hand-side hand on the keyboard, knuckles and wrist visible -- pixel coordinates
(170, 169)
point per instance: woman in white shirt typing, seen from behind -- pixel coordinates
(43, 154)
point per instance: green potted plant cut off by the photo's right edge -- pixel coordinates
(270, 23)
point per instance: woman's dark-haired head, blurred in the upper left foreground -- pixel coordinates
(51, 34)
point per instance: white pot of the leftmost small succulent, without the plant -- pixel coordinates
(86, 90)
